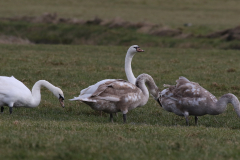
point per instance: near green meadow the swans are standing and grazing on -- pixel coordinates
(78, 132)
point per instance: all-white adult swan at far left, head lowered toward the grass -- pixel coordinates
(14, 93)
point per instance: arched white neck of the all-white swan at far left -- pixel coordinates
(36, 95)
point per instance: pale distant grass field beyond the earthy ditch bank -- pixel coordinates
(214, 14)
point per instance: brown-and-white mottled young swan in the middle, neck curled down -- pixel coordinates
(116, 95)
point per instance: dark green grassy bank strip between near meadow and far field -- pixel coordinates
(90, 34)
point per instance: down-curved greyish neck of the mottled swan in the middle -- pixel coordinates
(148, 80)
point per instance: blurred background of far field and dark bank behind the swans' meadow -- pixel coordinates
(174, 24)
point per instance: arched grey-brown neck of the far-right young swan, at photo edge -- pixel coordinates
(221, 104)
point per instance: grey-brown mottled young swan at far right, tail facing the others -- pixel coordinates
(189, 98)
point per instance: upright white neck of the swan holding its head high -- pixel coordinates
(128, 68)
